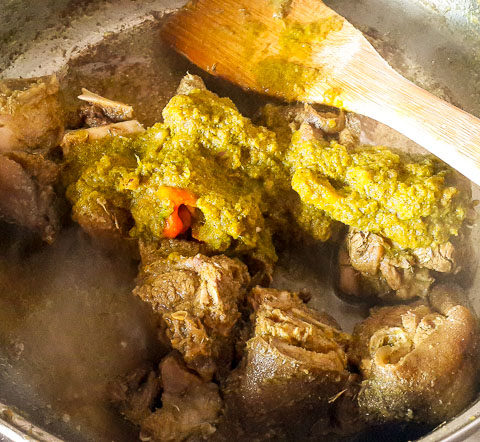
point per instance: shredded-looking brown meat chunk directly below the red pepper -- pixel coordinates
(198, 298)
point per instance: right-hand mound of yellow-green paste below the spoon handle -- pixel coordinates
(374, 190)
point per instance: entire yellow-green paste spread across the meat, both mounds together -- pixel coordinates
(242, 177)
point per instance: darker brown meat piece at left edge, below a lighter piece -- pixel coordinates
(27, 195)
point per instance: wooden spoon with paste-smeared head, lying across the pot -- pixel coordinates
(302, 50)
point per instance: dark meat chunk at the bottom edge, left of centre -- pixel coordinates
(190, 407)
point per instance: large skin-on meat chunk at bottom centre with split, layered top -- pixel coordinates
(293, 373)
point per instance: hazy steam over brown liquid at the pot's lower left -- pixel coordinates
(70, 325)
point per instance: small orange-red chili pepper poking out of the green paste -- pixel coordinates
(180, 219)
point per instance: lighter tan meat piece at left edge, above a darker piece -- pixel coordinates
(30, 114)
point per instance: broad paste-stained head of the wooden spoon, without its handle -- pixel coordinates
(290, 49)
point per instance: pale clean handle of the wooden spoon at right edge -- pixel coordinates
(443, 129)
